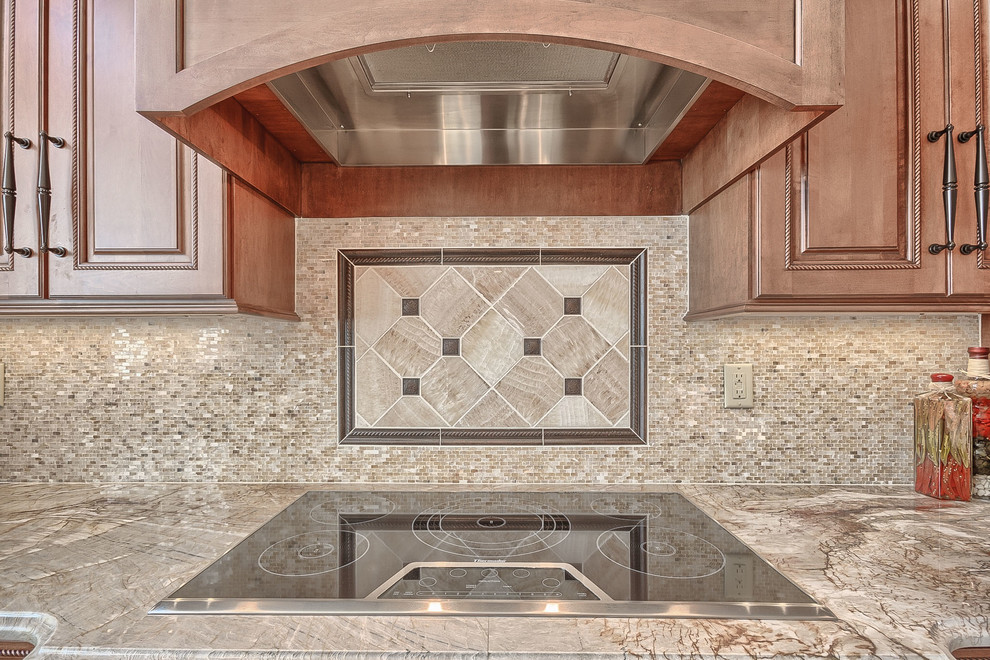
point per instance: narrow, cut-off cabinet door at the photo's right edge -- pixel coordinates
(969, 95)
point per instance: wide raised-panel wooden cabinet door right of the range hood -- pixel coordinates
(849, 209)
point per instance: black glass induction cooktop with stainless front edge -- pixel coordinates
(468, 553)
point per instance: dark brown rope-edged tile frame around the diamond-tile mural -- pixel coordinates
(348, 433)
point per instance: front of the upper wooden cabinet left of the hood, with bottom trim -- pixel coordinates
(107, 213)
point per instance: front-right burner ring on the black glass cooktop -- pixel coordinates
(678, 542)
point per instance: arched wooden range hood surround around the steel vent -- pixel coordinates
(776, 68)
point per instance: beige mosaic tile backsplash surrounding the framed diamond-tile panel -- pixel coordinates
(242, 398)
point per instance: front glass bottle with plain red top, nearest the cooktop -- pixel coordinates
(943, 423)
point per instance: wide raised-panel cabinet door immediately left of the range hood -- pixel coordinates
(138, 214)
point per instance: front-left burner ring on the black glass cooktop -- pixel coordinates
(300, 554)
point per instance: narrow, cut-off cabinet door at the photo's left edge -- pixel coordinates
(20, 25)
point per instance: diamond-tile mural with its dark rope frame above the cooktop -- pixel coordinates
(492, 346)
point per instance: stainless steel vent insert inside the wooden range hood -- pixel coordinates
(490, 103)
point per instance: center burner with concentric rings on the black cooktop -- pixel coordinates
(543, 528)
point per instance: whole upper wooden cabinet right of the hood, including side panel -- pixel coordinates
(844, 217)
